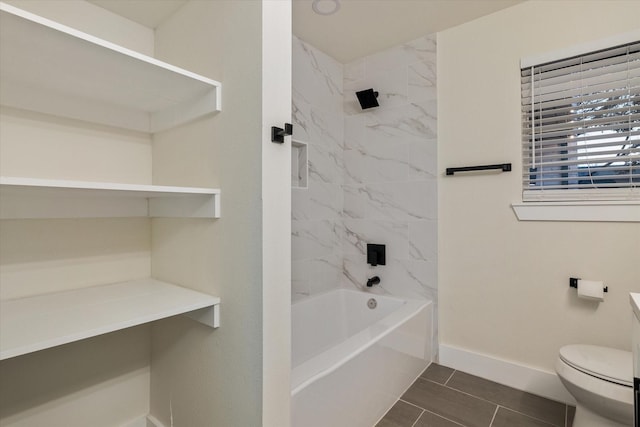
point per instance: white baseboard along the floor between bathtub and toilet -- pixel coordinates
(521, 377)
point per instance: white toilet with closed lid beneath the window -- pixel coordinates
(601, 380)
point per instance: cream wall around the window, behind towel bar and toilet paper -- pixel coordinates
(503, 284)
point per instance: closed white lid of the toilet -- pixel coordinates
(606, 363)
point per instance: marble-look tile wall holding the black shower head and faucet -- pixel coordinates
(390, 191)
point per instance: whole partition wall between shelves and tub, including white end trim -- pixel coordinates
(236, 375)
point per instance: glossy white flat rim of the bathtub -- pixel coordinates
(315, 368)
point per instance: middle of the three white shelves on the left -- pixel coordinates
(47, 198)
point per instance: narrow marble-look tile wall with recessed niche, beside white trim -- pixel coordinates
(317, 228)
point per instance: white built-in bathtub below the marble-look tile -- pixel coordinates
(351, 363)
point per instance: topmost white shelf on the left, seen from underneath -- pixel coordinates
(54, 69)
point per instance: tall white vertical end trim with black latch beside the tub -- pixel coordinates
(276, 210)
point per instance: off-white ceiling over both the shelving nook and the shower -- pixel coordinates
(359, 28)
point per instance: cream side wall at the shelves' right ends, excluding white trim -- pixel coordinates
(194, 370)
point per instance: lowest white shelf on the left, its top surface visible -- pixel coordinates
(44, 321)
